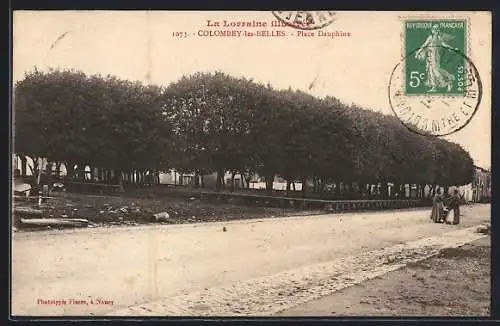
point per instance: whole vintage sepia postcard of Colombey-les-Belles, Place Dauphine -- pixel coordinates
(251, 163)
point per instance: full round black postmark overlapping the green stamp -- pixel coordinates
(439, 95)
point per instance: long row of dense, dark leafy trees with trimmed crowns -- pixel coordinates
(212, 122)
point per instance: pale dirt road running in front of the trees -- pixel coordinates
(186, 269)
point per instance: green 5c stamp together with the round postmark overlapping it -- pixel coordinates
(436, 88)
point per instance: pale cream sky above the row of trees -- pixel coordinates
(144, 46)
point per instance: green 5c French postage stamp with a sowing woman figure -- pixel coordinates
(432, 66)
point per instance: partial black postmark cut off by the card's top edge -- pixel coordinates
(307, 20)
